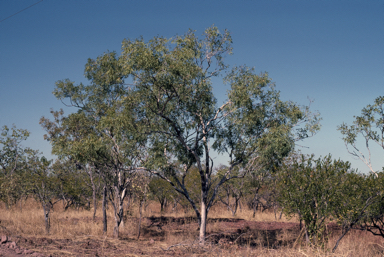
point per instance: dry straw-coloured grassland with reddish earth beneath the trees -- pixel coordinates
(75, 233)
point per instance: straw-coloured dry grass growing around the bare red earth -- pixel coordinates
(78, 225)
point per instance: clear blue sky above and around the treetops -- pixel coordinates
(330, 51)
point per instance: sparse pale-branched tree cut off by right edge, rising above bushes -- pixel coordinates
(369, 126)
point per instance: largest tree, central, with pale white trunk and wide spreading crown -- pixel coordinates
(172, 80)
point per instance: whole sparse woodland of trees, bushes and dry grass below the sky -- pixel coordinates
(136, 163)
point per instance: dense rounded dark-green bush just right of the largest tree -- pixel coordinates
(314, 189)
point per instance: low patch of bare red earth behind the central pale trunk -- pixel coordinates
(226, 231)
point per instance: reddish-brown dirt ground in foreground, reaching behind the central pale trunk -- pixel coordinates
(162, 236)
